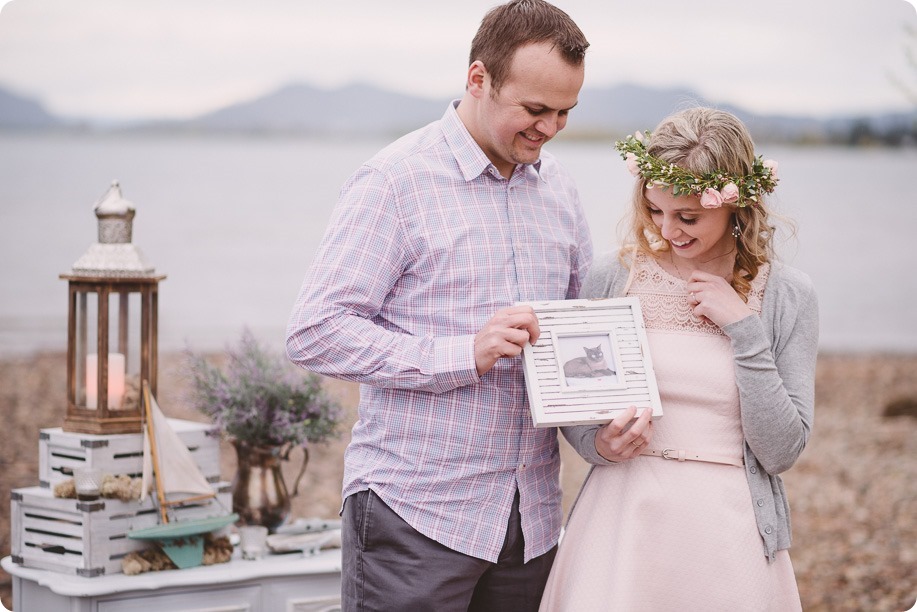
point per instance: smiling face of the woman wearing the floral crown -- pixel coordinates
(692, 231)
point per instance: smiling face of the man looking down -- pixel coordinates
(529, 109)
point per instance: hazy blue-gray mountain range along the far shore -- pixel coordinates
(364, 110)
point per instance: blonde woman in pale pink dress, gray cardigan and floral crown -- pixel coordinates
(733, 335)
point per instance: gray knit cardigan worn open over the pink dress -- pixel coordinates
(775, 372)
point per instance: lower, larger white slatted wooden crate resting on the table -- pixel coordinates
(88, 538)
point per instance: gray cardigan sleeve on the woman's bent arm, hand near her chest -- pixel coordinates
(776, 375)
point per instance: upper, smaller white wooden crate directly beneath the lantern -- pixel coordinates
(60, 452)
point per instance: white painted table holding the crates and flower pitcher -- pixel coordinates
(281, 583)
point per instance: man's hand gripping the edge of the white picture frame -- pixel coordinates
(504, 336)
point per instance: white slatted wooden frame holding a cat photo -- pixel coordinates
(591, 362)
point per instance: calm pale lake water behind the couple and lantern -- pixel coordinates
(234, 223)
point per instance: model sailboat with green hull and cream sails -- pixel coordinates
(169, 466)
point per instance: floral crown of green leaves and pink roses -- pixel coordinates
(714, 188)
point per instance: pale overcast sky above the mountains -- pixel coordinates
(127, 59)
